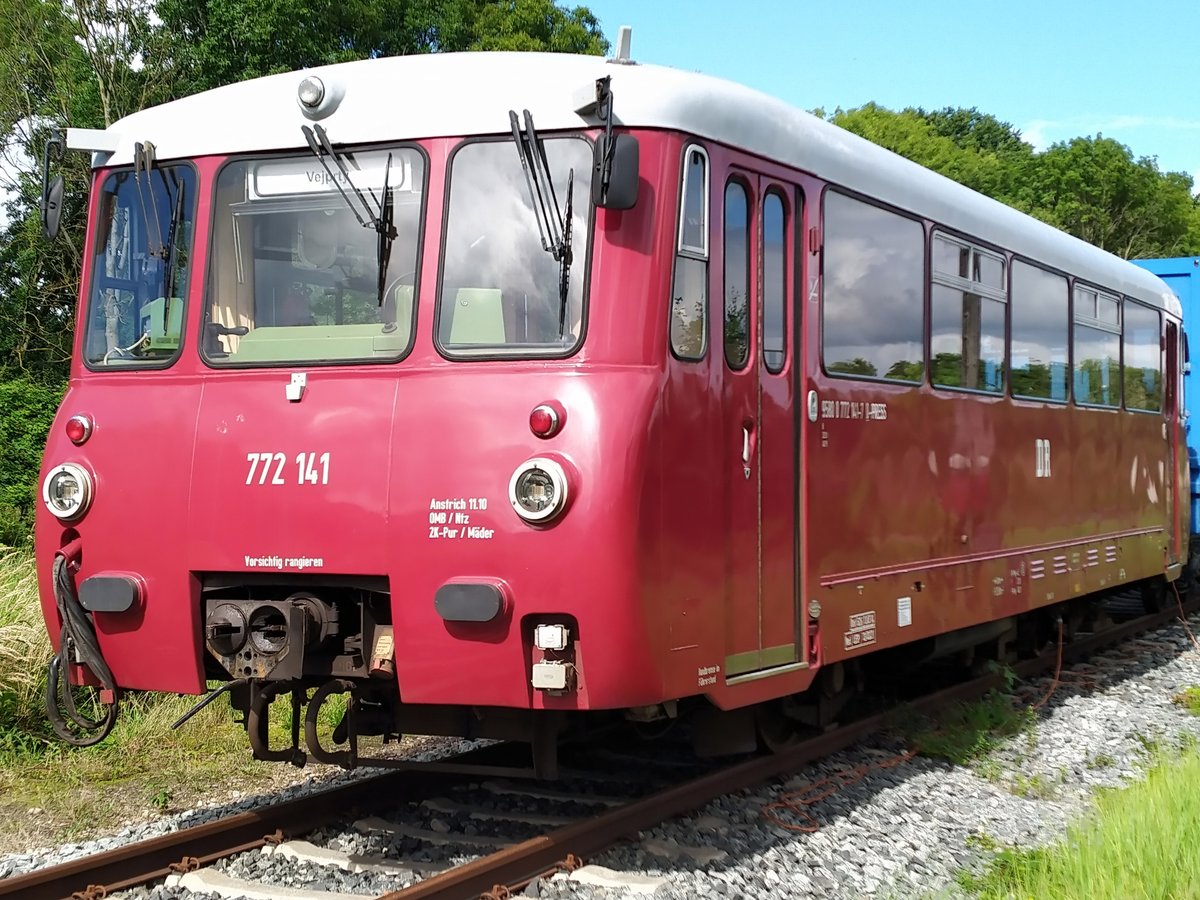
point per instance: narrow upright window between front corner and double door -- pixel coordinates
(689, 292)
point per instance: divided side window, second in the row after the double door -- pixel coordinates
(968, 332)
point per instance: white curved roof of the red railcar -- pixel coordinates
(453, 94)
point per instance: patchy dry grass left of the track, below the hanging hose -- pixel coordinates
(51, 791)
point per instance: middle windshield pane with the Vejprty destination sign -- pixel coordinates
(296, 275)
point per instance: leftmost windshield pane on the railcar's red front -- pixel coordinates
(140, 272)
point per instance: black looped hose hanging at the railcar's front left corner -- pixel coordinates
(79, 637)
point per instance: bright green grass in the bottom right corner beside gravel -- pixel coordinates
(1139, 843)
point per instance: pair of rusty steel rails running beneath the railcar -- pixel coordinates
(181, 851)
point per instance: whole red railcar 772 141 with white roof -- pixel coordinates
(659, 398)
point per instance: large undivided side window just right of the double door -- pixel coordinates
(874, 275)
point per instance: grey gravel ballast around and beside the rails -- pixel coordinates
(898, 832)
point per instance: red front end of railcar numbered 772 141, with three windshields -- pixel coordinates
(334, 428)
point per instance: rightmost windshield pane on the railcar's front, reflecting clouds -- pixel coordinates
(501, 291)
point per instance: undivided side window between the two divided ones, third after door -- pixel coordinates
(1041, 327)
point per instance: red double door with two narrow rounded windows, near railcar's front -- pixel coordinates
(755, 298)
